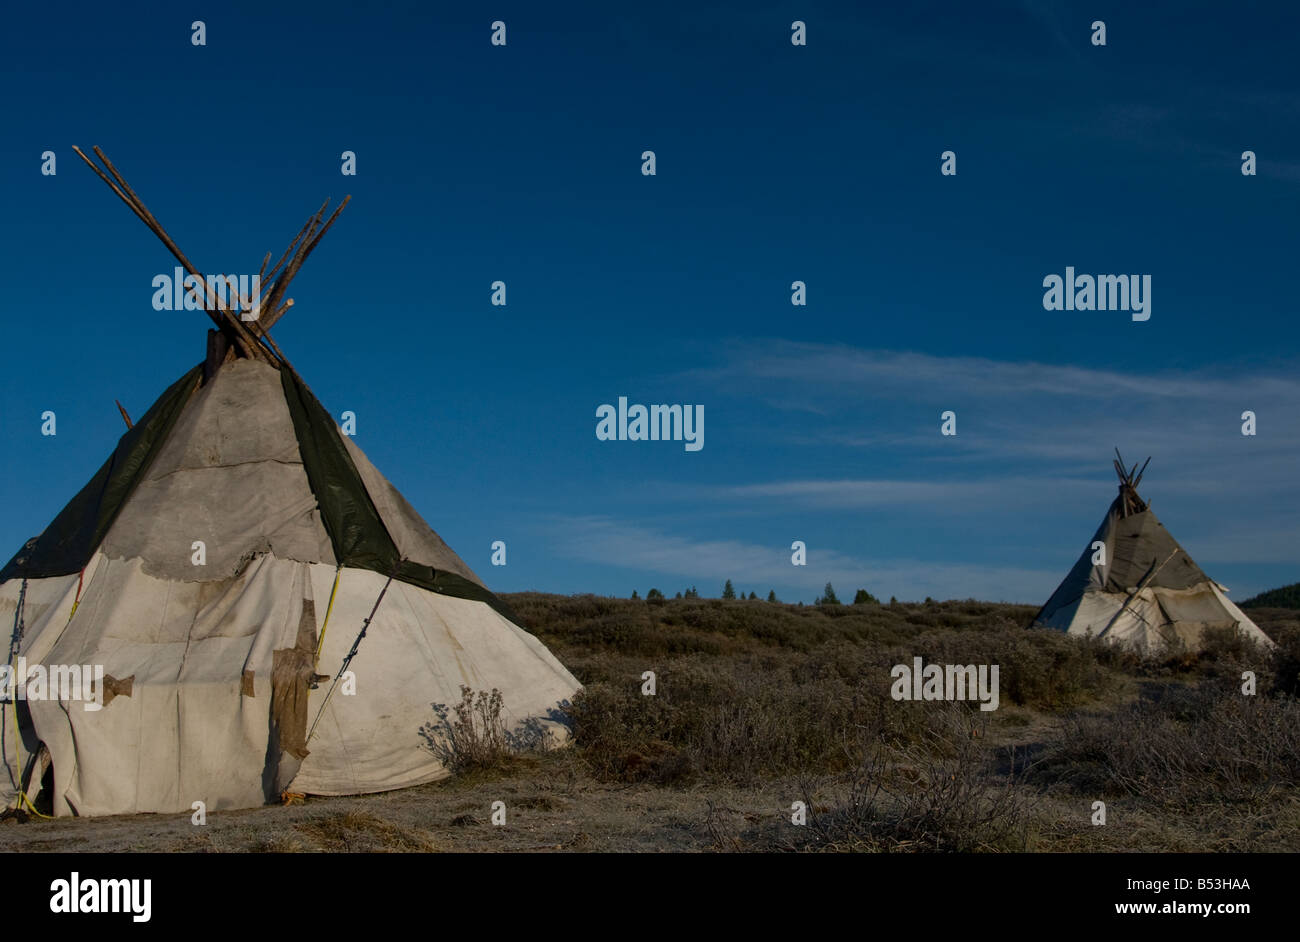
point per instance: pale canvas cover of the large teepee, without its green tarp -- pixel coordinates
(207, 666)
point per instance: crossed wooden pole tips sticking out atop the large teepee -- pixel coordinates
(249, 338)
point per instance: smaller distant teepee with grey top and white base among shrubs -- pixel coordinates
(1145, 591)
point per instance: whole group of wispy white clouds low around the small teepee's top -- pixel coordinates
(1021, 487)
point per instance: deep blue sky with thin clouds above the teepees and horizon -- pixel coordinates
(775, 163)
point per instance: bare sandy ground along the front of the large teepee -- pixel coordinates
(551, 806)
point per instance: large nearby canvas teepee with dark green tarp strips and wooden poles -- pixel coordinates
(220, 667)
